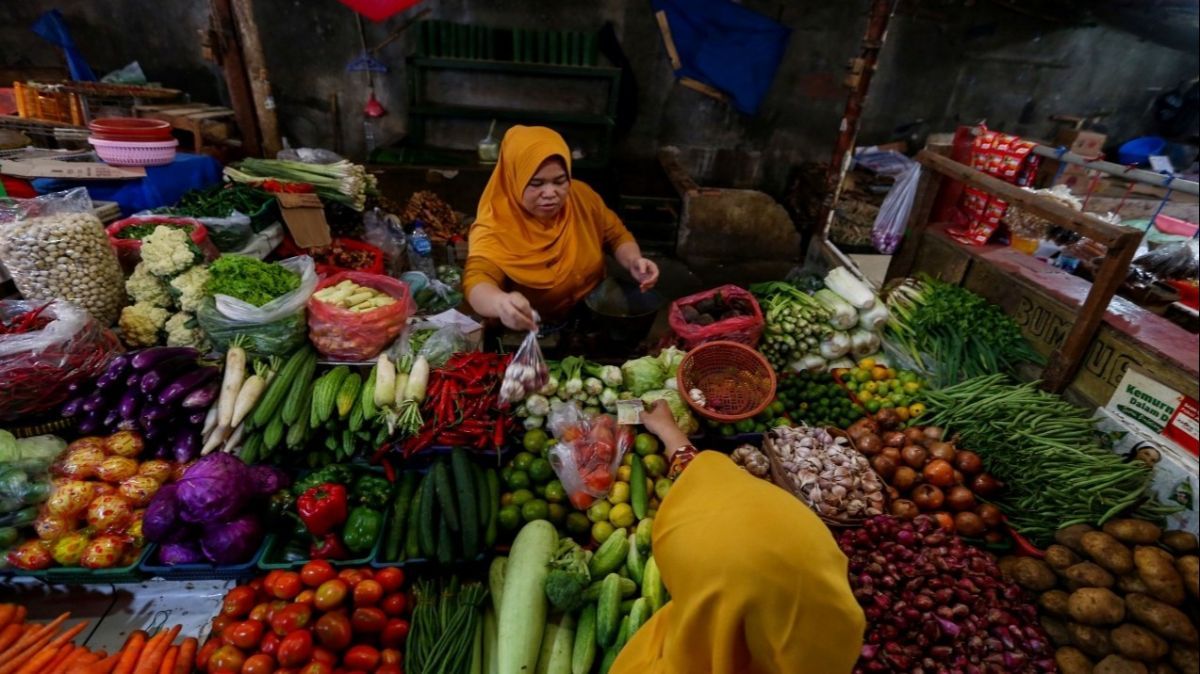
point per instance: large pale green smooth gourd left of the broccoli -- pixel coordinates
(523, 617)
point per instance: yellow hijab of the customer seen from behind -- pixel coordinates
(758, 583)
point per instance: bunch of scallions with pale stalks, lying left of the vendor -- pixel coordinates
(343, 182)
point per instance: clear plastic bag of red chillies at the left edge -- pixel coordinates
(39, 368)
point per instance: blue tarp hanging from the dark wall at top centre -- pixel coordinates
(727, 46)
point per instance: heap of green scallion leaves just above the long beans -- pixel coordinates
(952, 334)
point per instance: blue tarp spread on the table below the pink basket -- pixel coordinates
(163, 186)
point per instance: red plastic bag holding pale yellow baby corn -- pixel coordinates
(345, 334)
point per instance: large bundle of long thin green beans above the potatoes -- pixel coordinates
(1048, 453)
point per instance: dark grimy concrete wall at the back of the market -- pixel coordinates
(941, 67)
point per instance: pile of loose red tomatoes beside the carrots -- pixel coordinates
(316, 621)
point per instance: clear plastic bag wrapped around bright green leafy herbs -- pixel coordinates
(274, 329)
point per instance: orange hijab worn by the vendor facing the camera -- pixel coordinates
(533, 254)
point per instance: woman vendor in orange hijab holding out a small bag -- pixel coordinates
(539, 237)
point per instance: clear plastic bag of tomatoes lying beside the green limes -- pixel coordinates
(589, 453)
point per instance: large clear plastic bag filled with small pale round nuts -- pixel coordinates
(56, 249)
